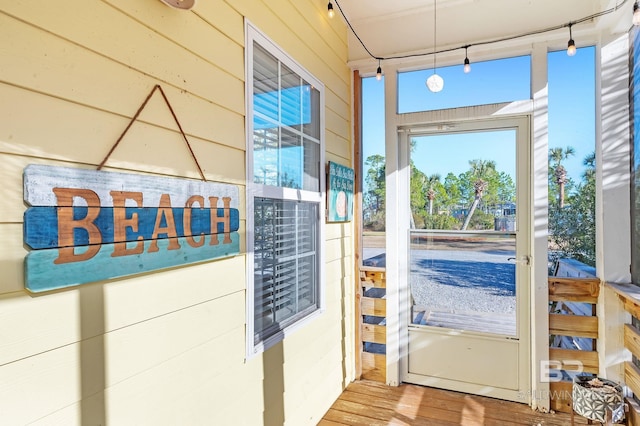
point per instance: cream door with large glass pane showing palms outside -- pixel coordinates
(468, 272)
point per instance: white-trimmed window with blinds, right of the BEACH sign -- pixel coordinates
(285, 198)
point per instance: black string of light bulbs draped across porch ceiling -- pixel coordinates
(589, 18)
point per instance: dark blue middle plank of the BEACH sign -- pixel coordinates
(41, 224)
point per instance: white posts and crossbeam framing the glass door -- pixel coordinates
(537, 109)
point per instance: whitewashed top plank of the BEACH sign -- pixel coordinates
(39, 181)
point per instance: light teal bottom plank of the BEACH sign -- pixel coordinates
(42, 274)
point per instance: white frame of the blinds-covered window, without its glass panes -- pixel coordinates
(278, 192)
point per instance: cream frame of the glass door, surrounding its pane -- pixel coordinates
(520, 346)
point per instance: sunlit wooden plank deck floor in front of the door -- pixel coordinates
(370, 403)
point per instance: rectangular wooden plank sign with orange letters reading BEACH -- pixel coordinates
(85, 225)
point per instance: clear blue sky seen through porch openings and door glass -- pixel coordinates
(571, 109)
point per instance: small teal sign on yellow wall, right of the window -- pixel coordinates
(340, 193)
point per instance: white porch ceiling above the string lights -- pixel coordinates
(396, 27)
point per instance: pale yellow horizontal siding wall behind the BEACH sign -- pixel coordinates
(165, 347)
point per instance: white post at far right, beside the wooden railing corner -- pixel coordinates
(613, 217)
